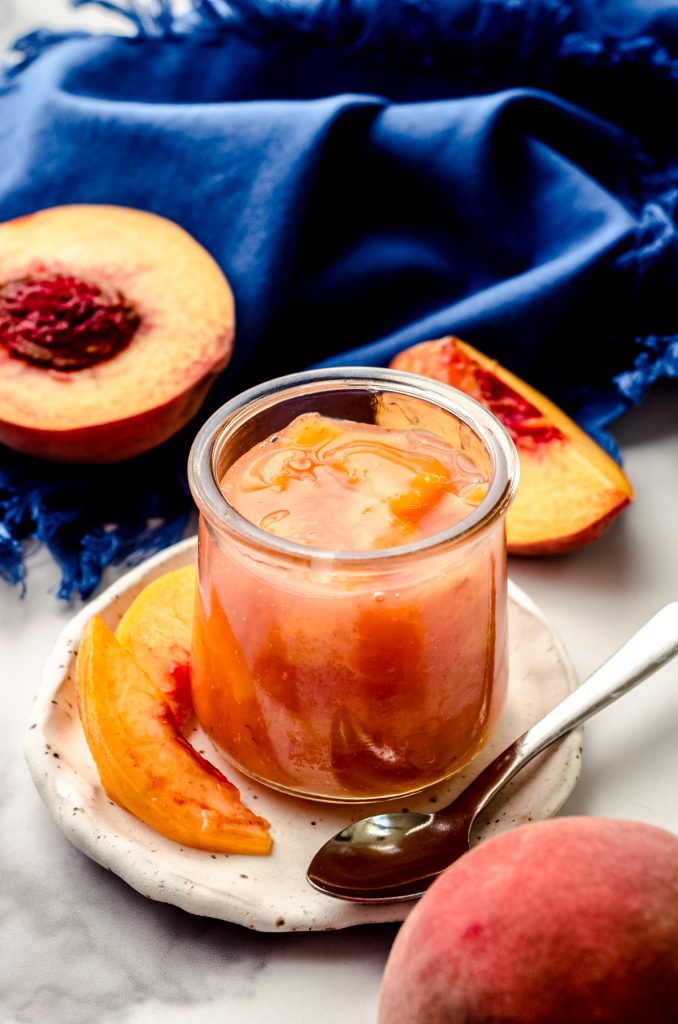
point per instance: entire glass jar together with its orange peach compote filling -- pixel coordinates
(351, 631)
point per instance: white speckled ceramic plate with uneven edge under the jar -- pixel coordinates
(272, 893)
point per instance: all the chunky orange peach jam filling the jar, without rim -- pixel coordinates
(361, 681)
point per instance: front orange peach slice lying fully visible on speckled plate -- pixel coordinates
(146, 764)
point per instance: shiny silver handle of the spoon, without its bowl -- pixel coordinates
(644, 654)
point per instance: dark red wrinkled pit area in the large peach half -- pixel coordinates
(64, 323)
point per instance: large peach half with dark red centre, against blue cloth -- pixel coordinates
(114, 324)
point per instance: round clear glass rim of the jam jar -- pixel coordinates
(214, 505)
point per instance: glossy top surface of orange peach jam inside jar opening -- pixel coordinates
(353, 487)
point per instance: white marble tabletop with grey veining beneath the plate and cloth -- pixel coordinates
(78, 947)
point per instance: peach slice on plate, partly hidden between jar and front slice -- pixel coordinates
(157, 629)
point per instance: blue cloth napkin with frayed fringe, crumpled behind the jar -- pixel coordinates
(369, 174)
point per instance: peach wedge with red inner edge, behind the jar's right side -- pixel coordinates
(570, 489)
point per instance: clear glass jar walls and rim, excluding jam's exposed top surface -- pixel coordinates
(351, 675)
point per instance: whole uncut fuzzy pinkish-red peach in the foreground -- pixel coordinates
(567, 922)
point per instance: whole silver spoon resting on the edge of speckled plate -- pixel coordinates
(396, 857)
